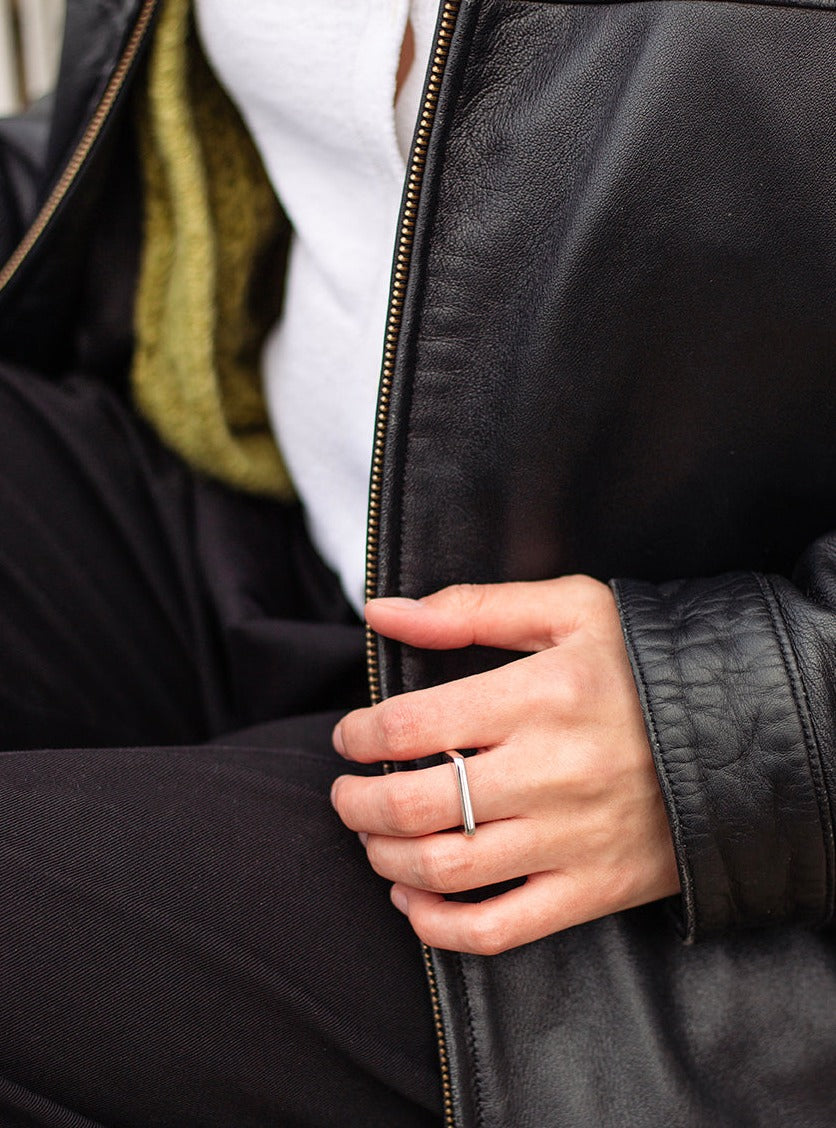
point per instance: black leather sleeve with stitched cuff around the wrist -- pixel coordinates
(737, 677)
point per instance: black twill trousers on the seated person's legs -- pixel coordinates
(189, 937)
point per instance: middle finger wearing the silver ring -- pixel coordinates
(411, 805)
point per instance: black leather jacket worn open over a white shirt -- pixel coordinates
(612, 350)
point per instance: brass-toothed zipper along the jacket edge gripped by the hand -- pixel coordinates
(403, 258)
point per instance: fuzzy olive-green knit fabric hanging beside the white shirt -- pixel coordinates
(204, 306)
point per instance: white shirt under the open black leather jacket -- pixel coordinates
(316, 86)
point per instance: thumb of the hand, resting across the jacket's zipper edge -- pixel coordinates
(512, 616)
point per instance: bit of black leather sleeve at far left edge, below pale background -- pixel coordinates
(23, 148)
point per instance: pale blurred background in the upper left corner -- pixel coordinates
(30, 45)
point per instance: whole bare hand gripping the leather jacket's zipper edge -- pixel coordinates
(565, 791)
